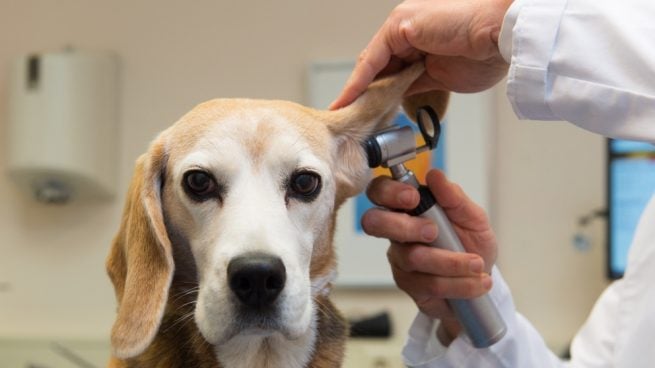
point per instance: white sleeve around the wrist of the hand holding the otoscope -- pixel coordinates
(522, 346)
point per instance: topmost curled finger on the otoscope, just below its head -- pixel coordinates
(383, 191)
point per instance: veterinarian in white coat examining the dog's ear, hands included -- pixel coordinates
(591, 63)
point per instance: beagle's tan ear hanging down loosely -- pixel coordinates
(140, 262)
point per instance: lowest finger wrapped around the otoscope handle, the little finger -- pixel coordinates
(422, 287)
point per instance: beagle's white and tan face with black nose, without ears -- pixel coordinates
(251, 193)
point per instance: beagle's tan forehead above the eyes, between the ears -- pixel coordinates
(254, 125)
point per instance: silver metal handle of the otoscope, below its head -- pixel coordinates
(479, 316)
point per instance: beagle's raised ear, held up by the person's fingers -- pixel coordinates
(372, 111)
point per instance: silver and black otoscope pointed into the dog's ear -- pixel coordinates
(391, 148)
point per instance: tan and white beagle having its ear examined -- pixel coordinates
(224, 255)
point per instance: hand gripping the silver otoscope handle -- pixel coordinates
(431, 275)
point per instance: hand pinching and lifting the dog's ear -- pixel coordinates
(457, 39)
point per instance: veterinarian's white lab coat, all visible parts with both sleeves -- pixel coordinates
(590, 62)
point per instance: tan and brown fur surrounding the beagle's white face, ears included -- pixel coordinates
(154, 326)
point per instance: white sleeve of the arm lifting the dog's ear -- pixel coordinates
(591, 63)
